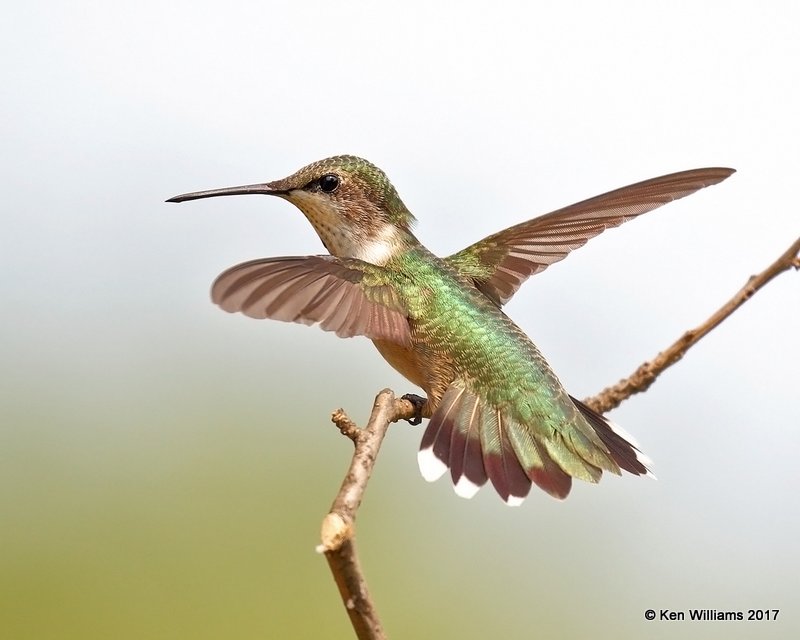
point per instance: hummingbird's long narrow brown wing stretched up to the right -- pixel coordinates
(500, 263)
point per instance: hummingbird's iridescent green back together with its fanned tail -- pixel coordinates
(489, 382)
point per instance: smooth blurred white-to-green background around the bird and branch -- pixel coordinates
(164, 466)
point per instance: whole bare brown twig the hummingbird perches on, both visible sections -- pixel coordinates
(338, 532)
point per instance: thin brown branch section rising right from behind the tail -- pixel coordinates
(647, 373)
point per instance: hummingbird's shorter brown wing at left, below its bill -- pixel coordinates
(347, 296)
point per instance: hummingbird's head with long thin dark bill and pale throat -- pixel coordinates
(350, 202)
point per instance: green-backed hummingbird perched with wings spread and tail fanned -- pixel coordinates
(497, 412)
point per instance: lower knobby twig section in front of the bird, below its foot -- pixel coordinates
(338, 526)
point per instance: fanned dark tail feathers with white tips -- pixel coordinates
(479, 442)
